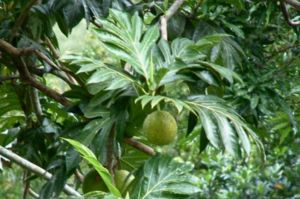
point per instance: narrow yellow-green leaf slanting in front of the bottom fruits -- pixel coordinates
(88, 155)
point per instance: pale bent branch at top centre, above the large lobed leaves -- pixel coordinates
(164, 19)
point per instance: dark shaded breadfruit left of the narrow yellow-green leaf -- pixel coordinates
(93, 182)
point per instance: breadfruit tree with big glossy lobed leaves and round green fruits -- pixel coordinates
(176, 70)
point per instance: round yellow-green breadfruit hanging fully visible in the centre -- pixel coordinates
(160, 128)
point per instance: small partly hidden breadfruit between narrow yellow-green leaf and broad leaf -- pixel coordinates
(122, 180)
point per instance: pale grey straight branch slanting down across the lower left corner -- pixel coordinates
(34, 168)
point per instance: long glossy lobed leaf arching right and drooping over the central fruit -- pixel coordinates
(222, 125)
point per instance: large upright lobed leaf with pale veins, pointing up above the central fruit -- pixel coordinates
(123, 36)
